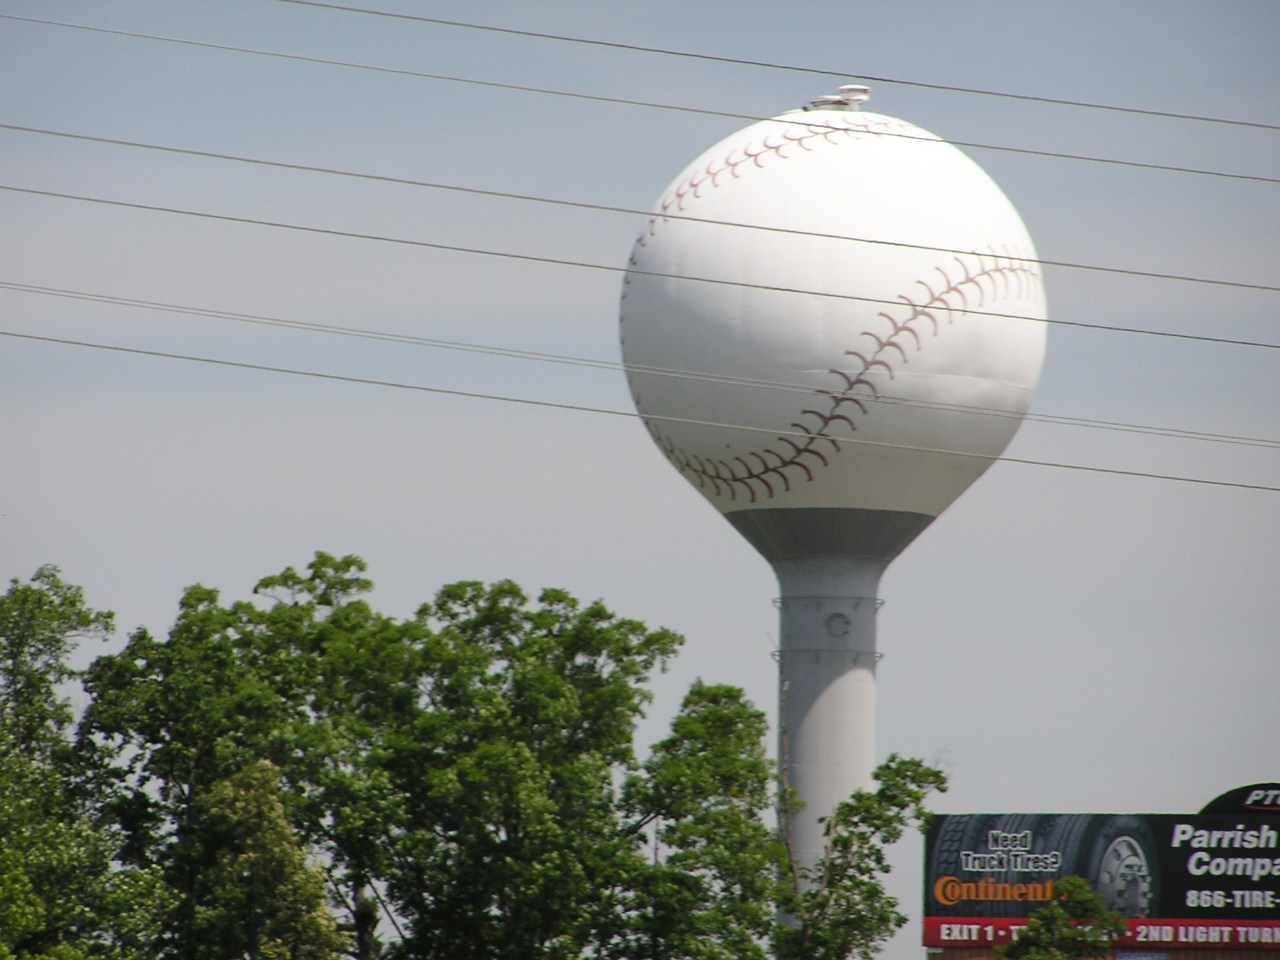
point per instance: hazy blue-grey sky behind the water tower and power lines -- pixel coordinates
(1059, 641)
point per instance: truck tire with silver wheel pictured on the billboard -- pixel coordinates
(1122, 866)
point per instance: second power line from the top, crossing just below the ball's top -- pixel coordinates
(545, 92)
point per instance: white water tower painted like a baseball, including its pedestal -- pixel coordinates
(833, 326)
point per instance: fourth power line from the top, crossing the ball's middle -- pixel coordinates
(609, 268)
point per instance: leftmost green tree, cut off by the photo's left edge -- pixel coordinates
(62, 898)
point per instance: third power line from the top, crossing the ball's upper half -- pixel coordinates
(610, 209)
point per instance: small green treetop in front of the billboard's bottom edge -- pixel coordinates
(1075, 926)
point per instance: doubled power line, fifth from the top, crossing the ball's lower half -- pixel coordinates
(614, 367)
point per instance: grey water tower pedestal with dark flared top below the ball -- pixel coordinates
(829, 563)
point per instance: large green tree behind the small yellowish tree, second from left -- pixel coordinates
(239, 684)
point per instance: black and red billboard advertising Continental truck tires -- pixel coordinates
(1178, 880)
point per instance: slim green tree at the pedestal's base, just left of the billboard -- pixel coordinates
(839, 908)
